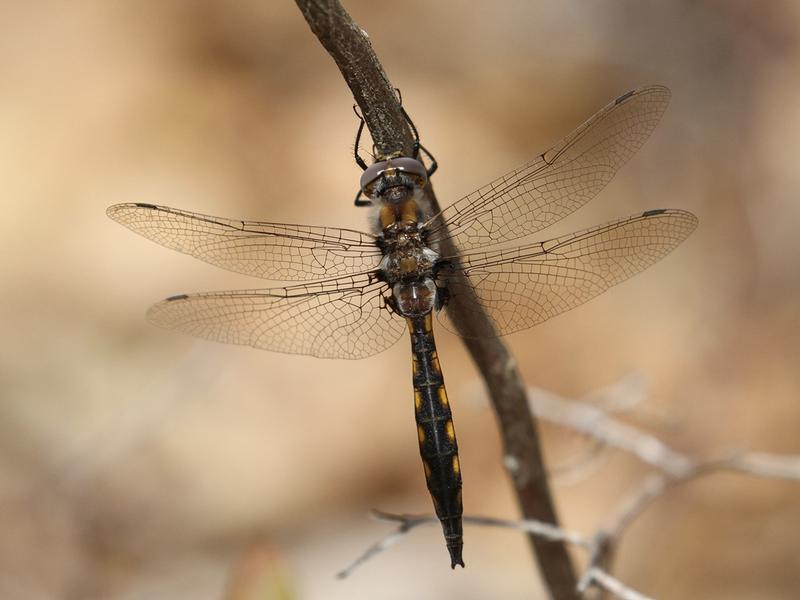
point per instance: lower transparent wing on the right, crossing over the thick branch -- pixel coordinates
(525, 286)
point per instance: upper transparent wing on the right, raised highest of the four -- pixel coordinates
(559, 181)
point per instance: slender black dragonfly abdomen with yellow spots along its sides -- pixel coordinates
(437, 438)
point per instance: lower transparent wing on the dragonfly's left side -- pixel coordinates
(338, 318)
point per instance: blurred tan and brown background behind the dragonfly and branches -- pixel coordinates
(136, 463)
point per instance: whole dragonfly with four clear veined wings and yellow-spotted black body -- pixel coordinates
(359, 292)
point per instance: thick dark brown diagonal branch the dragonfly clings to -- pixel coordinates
(349, 46)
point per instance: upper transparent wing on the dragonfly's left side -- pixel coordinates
(266, 250)
